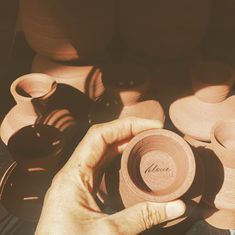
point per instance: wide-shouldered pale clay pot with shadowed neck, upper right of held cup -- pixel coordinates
(194, 113)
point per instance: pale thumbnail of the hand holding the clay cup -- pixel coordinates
(175, 209)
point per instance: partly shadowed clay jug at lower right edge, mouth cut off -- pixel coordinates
(218, 159)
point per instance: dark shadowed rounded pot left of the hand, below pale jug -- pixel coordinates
(37, 147)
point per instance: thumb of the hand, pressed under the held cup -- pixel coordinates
(144, 215)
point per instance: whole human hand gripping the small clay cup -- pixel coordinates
(70, 207)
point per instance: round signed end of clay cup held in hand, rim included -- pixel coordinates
(158, 166)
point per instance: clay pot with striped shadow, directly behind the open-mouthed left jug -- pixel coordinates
(87, 79)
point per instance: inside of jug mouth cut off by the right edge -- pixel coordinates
(225, 135)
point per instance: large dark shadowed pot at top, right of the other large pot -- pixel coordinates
(163, 29)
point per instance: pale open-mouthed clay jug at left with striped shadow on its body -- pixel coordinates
(40, 100)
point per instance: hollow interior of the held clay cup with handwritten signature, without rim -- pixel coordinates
(158, 165)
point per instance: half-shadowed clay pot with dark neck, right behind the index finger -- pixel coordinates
(126, 94)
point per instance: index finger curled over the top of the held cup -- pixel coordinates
(94, 146)
